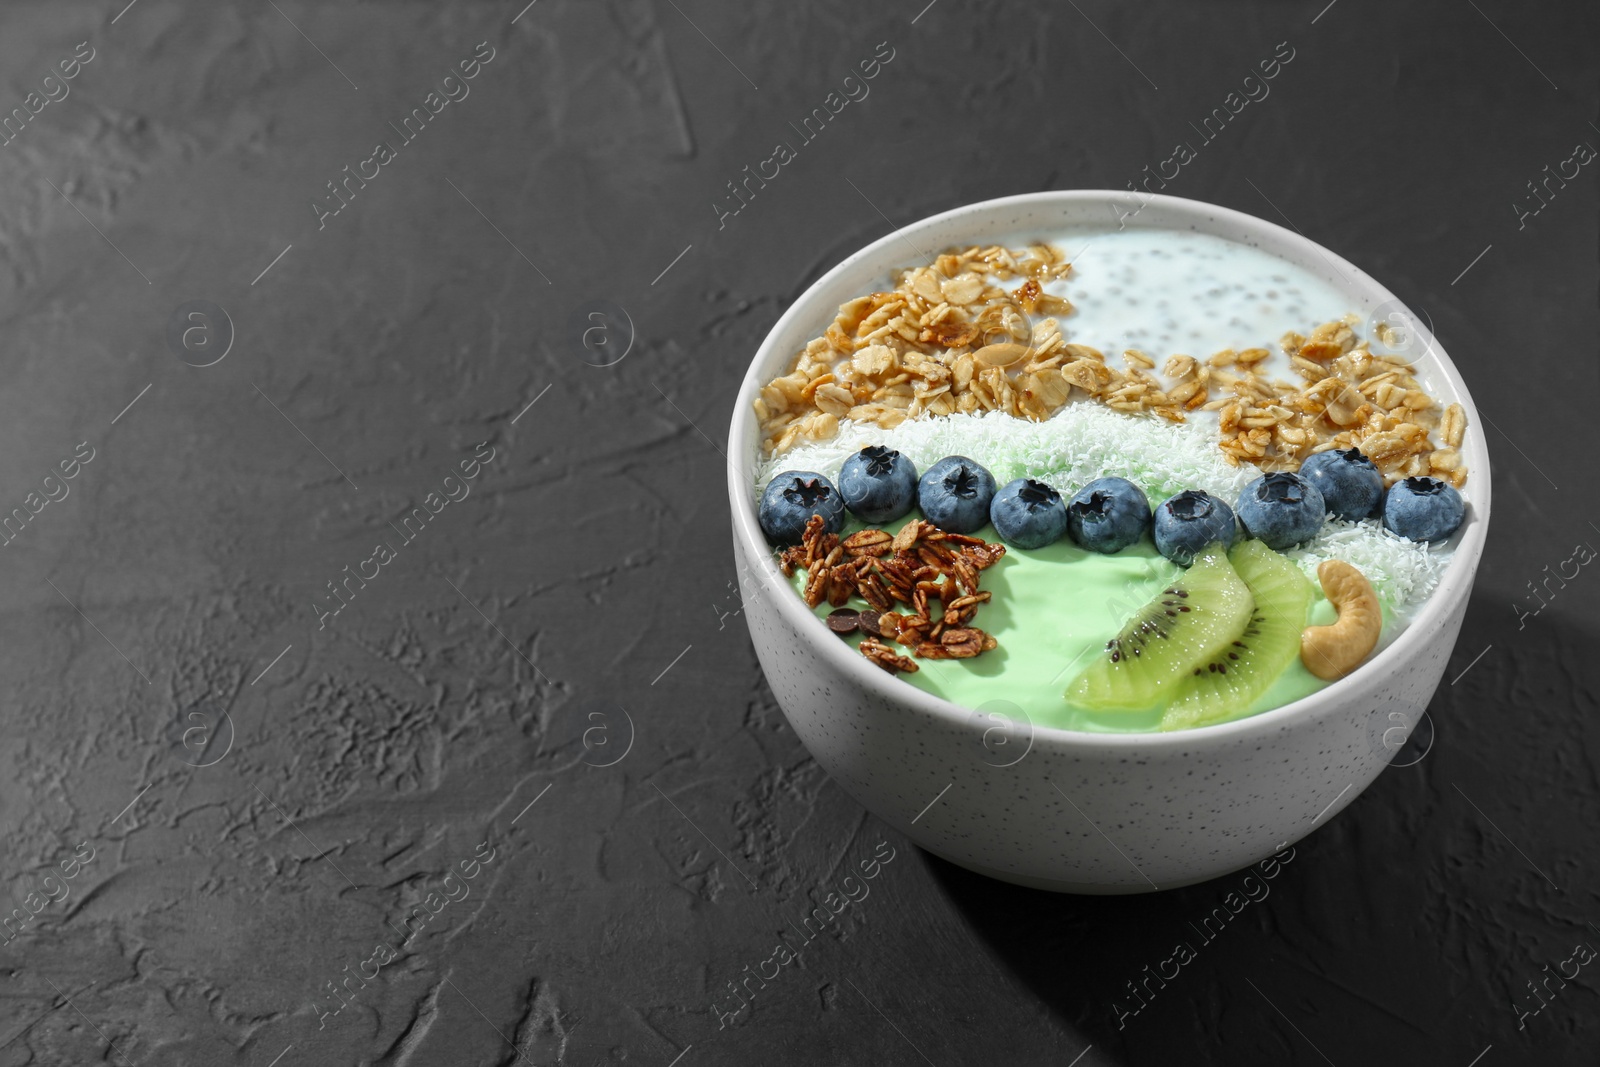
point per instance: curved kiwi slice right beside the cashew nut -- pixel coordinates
(1238, 676)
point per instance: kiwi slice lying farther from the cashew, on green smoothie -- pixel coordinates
(1188, 625)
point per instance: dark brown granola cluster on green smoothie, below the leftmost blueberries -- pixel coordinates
(918, 567)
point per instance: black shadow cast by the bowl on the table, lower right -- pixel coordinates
(1319, 941)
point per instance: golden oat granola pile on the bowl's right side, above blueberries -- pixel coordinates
(1351, 399)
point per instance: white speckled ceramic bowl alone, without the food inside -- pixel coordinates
(1081, 812)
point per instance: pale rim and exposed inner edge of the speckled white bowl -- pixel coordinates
(817, 303)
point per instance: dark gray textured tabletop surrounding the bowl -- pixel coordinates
(526, 796)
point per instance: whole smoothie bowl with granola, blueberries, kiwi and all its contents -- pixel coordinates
(1103, 545)
